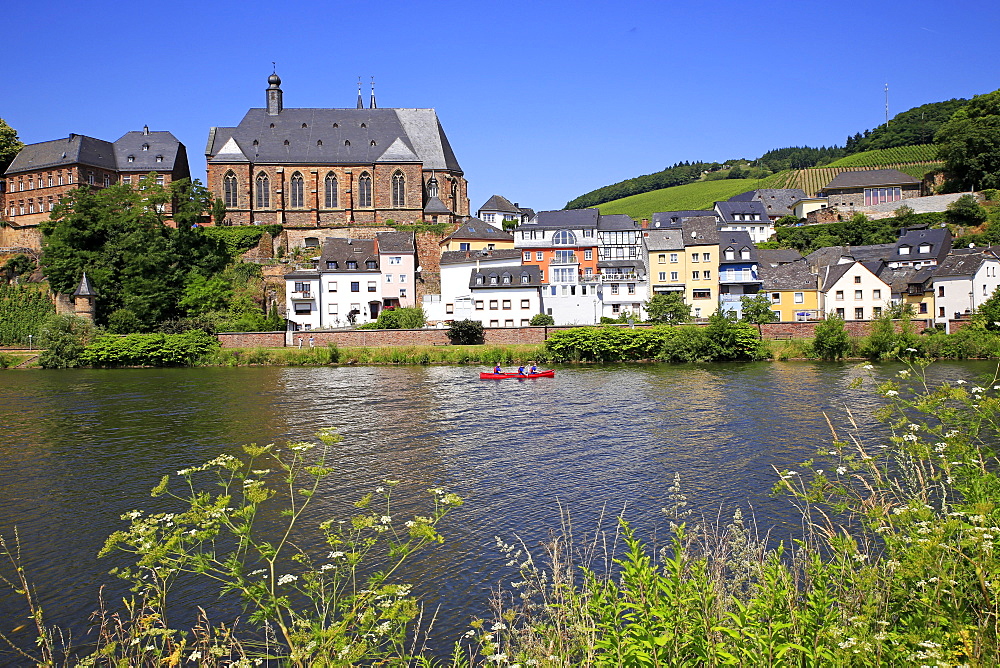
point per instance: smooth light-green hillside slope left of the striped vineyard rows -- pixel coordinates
(700, 195)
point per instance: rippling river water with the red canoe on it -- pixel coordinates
(81, 447)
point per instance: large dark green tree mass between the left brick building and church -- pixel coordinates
(117, 236)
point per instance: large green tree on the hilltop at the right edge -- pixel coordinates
(969, 144)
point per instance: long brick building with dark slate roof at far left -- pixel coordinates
(42, 174)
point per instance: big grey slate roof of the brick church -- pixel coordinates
(335, 136)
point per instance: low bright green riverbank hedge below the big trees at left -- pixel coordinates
(157, 350)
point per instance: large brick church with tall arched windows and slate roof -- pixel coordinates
(334, 167)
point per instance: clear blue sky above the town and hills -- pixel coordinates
(542, 101)
